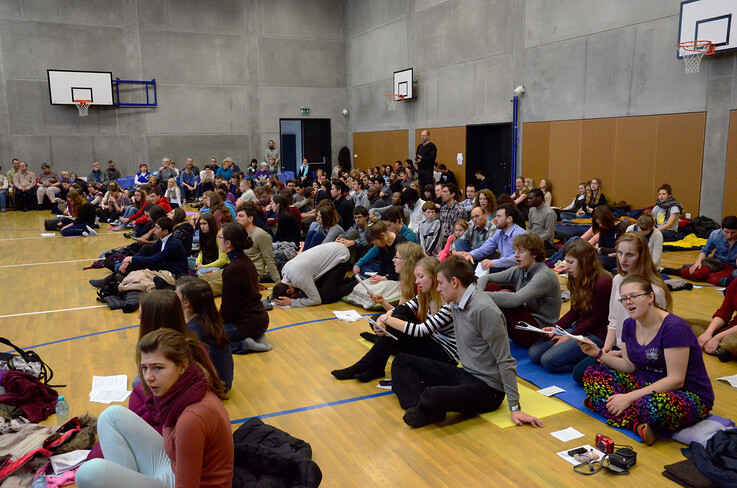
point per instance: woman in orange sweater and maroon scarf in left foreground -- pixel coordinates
(196, 449)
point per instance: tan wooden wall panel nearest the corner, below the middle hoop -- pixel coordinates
(380, 147)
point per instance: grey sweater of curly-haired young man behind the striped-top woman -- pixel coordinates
(538, 289)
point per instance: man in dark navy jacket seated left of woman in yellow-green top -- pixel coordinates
(168, 254)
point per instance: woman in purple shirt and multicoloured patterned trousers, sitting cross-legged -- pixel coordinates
(660, 381)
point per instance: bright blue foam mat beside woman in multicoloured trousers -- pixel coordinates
(573, 395)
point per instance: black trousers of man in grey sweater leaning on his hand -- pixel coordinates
(436, 387)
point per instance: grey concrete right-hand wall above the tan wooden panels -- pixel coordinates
(577, 60)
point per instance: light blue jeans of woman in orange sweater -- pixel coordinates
(134, 454)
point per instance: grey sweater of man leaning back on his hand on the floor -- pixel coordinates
(483, 343)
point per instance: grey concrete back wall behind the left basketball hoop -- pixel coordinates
(226, 70)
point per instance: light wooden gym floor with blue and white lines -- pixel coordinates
(355, 429)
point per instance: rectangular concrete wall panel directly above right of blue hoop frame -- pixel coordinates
(185, 57)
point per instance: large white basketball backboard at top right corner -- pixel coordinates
(708, 20)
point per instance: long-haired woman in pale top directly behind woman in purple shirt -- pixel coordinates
(633, 258)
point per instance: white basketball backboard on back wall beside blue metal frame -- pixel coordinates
(65, 86)
